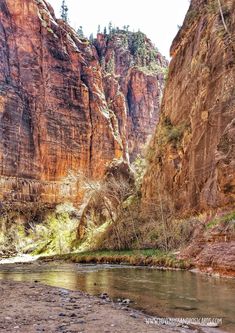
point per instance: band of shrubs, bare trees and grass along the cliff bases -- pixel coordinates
(110, 220)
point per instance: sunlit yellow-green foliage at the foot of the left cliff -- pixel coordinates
(55, 232)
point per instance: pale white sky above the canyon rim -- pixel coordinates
(158, 19)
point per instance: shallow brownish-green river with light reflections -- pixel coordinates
(159, 293)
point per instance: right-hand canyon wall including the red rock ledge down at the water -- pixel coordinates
(191, 173)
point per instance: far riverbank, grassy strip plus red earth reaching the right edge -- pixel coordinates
(145, 257)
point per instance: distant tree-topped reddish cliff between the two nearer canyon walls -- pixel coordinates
(133, 78)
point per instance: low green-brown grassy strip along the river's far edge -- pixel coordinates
(148, 257)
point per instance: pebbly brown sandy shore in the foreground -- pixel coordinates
(27, 308)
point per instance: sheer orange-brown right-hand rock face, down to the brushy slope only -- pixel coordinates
(192, 156)
